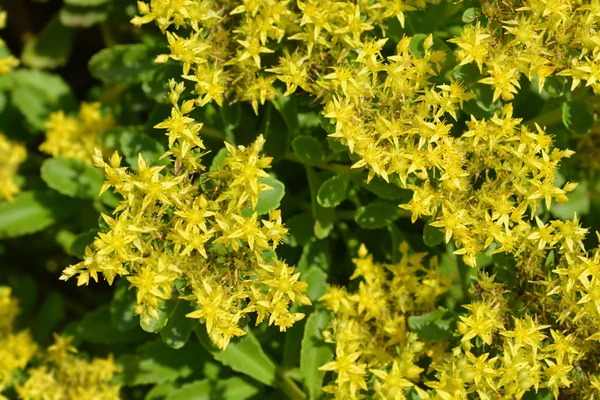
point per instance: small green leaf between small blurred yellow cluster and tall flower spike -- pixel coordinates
(133, 141)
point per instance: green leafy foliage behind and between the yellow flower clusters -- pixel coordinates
(76, 50)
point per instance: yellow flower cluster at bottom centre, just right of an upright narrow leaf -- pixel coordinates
(375, 350)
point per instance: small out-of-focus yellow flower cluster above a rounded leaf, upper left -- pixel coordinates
(76, 137)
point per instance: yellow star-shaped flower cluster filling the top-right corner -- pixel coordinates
(536, 38)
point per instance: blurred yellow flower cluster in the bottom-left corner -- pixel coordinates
(60, 375)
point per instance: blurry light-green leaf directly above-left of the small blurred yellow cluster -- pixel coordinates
(36, 94)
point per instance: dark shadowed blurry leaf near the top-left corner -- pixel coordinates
(52, 47)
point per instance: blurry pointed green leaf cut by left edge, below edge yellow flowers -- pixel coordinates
(32, 212)
